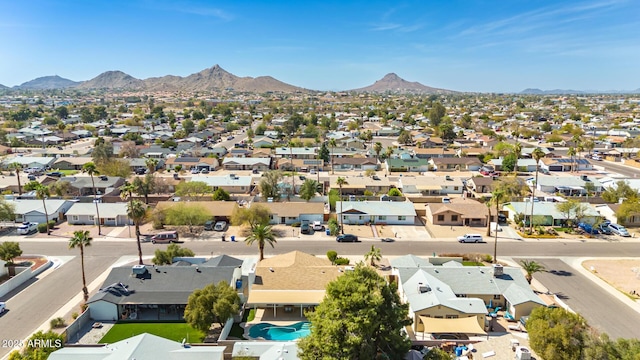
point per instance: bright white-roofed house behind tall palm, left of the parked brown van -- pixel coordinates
(111, 214)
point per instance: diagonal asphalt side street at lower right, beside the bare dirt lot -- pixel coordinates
(601, 309)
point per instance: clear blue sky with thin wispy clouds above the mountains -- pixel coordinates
(473, 45)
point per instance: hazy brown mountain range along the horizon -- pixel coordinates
(214, 78)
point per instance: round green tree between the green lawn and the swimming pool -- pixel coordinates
(214, 303)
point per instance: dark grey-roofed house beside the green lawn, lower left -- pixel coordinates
(144, 292)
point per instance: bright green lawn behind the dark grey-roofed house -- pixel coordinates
(172, 331)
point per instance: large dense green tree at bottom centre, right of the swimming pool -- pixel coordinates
(361, 317)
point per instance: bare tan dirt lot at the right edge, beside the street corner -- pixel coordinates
(621, 274)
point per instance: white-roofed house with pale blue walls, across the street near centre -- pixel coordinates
(376, 212)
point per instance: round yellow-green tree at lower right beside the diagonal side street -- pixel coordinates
(555, 333)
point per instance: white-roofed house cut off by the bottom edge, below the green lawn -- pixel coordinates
(140, 347)
